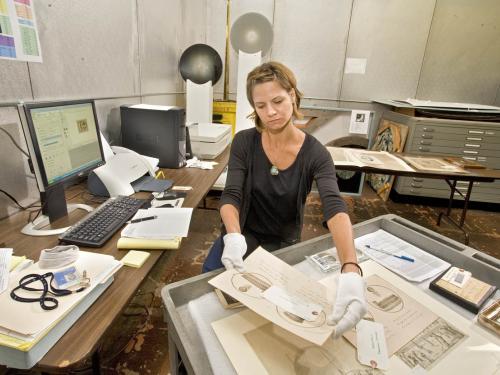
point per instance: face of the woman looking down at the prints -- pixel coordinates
(273, 105)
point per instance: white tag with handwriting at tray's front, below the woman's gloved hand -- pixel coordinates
(371, 344)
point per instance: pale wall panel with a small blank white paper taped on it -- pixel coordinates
(391, 35)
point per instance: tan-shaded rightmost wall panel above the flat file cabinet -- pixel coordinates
(462, 59)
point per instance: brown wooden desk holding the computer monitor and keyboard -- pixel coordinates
(82, 340)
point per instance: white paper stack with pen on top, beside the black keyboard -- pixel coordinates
(163, 232)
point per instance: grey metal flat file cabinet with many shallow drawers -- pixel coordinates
(472, 140)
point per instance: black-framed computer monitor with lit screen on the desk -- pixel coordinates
(64, 143)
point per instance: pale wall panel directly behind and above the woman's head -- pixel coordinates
(310, 37)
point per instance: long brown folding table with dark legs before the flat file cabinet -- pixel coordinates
(451, 178)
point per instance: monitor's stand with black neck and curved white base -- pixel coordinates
(54, 206)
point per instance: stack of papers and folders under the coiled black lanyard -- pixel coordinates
(23, 325)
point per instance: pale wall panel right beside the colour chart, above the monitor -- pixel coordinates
(89, 49)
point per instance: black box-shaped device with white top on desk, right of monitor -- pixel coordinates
(155, 130)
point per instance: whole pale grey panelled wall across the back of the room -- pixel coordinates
(126, 51)
